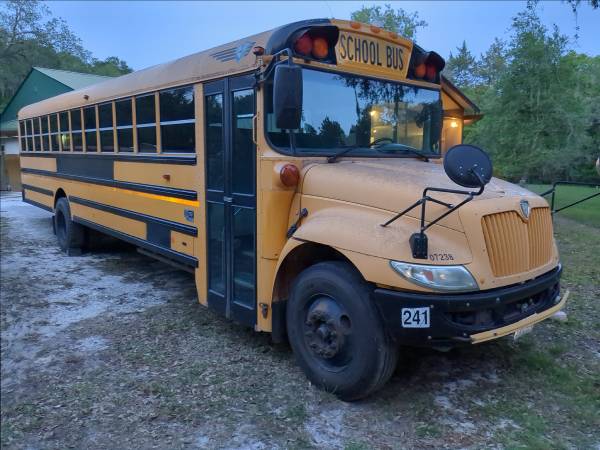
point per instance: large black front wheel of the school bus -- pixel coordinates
(336, 332)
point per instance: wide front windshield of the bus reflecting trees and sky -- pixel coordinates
(342, 110)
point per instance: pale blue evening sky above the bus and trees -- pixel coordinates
(147, 33)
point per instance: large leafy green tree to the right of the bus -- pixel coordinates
(541, 110)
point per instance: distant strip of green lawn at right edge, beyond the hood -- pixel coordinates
(587, 212)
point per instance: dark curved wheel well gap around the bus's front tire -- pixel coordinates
(294, 263)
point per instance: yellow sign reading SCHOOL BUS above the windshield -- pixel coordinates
(377, 55)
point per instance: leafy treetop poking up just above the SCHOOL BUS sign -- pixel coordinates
(399, 21)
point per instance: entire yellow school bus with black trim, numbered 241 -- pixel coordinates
(312, 178)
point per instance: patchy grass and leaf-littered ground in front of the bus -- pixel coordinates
(176, 375)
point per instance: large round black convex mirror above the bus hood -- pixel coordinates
(468, 166)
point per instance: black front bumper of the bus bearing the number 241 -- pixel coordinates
(472, 317)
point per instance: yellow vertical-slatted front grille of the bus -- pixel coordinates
(515, 245)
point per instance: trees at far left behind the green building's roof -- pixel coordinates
(29, 35)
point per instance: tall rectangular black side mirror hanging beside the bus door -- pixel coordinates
(287, 96)
